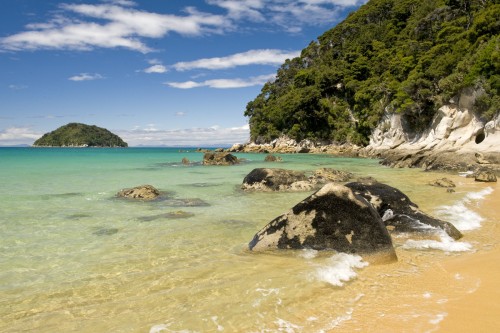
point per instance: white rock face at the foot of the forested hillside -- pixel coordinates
(454, 128)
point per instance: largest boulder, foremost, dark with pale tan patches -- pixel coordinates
(333, 218)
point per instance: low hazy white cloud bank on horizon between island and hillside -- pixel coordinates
(214, 135)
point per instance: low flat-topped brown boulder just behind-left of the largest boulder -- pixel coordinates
(267, 179)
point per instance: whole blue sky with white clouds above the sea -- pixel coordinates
(155, 72)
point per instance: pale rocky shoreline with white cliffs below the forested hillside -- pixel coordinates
(456, 140)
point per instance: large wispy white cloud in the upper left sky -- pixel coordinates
(115, 24)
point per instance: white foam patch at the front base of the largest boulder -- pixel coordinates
(340, 269)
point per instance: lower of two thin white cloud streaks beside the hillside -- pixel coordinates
(223, 83)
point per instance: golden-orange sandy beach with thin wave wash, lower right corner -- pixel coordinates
(456, 293)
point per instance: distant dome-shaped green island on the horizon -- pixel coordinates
(80, 135)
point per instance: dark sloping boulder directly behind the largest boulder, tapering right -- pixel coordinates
(398, 211)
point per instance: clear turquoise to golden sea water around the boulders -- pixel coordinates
(74, 258)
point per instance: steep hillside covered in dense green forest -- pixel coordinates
(407, 56)
